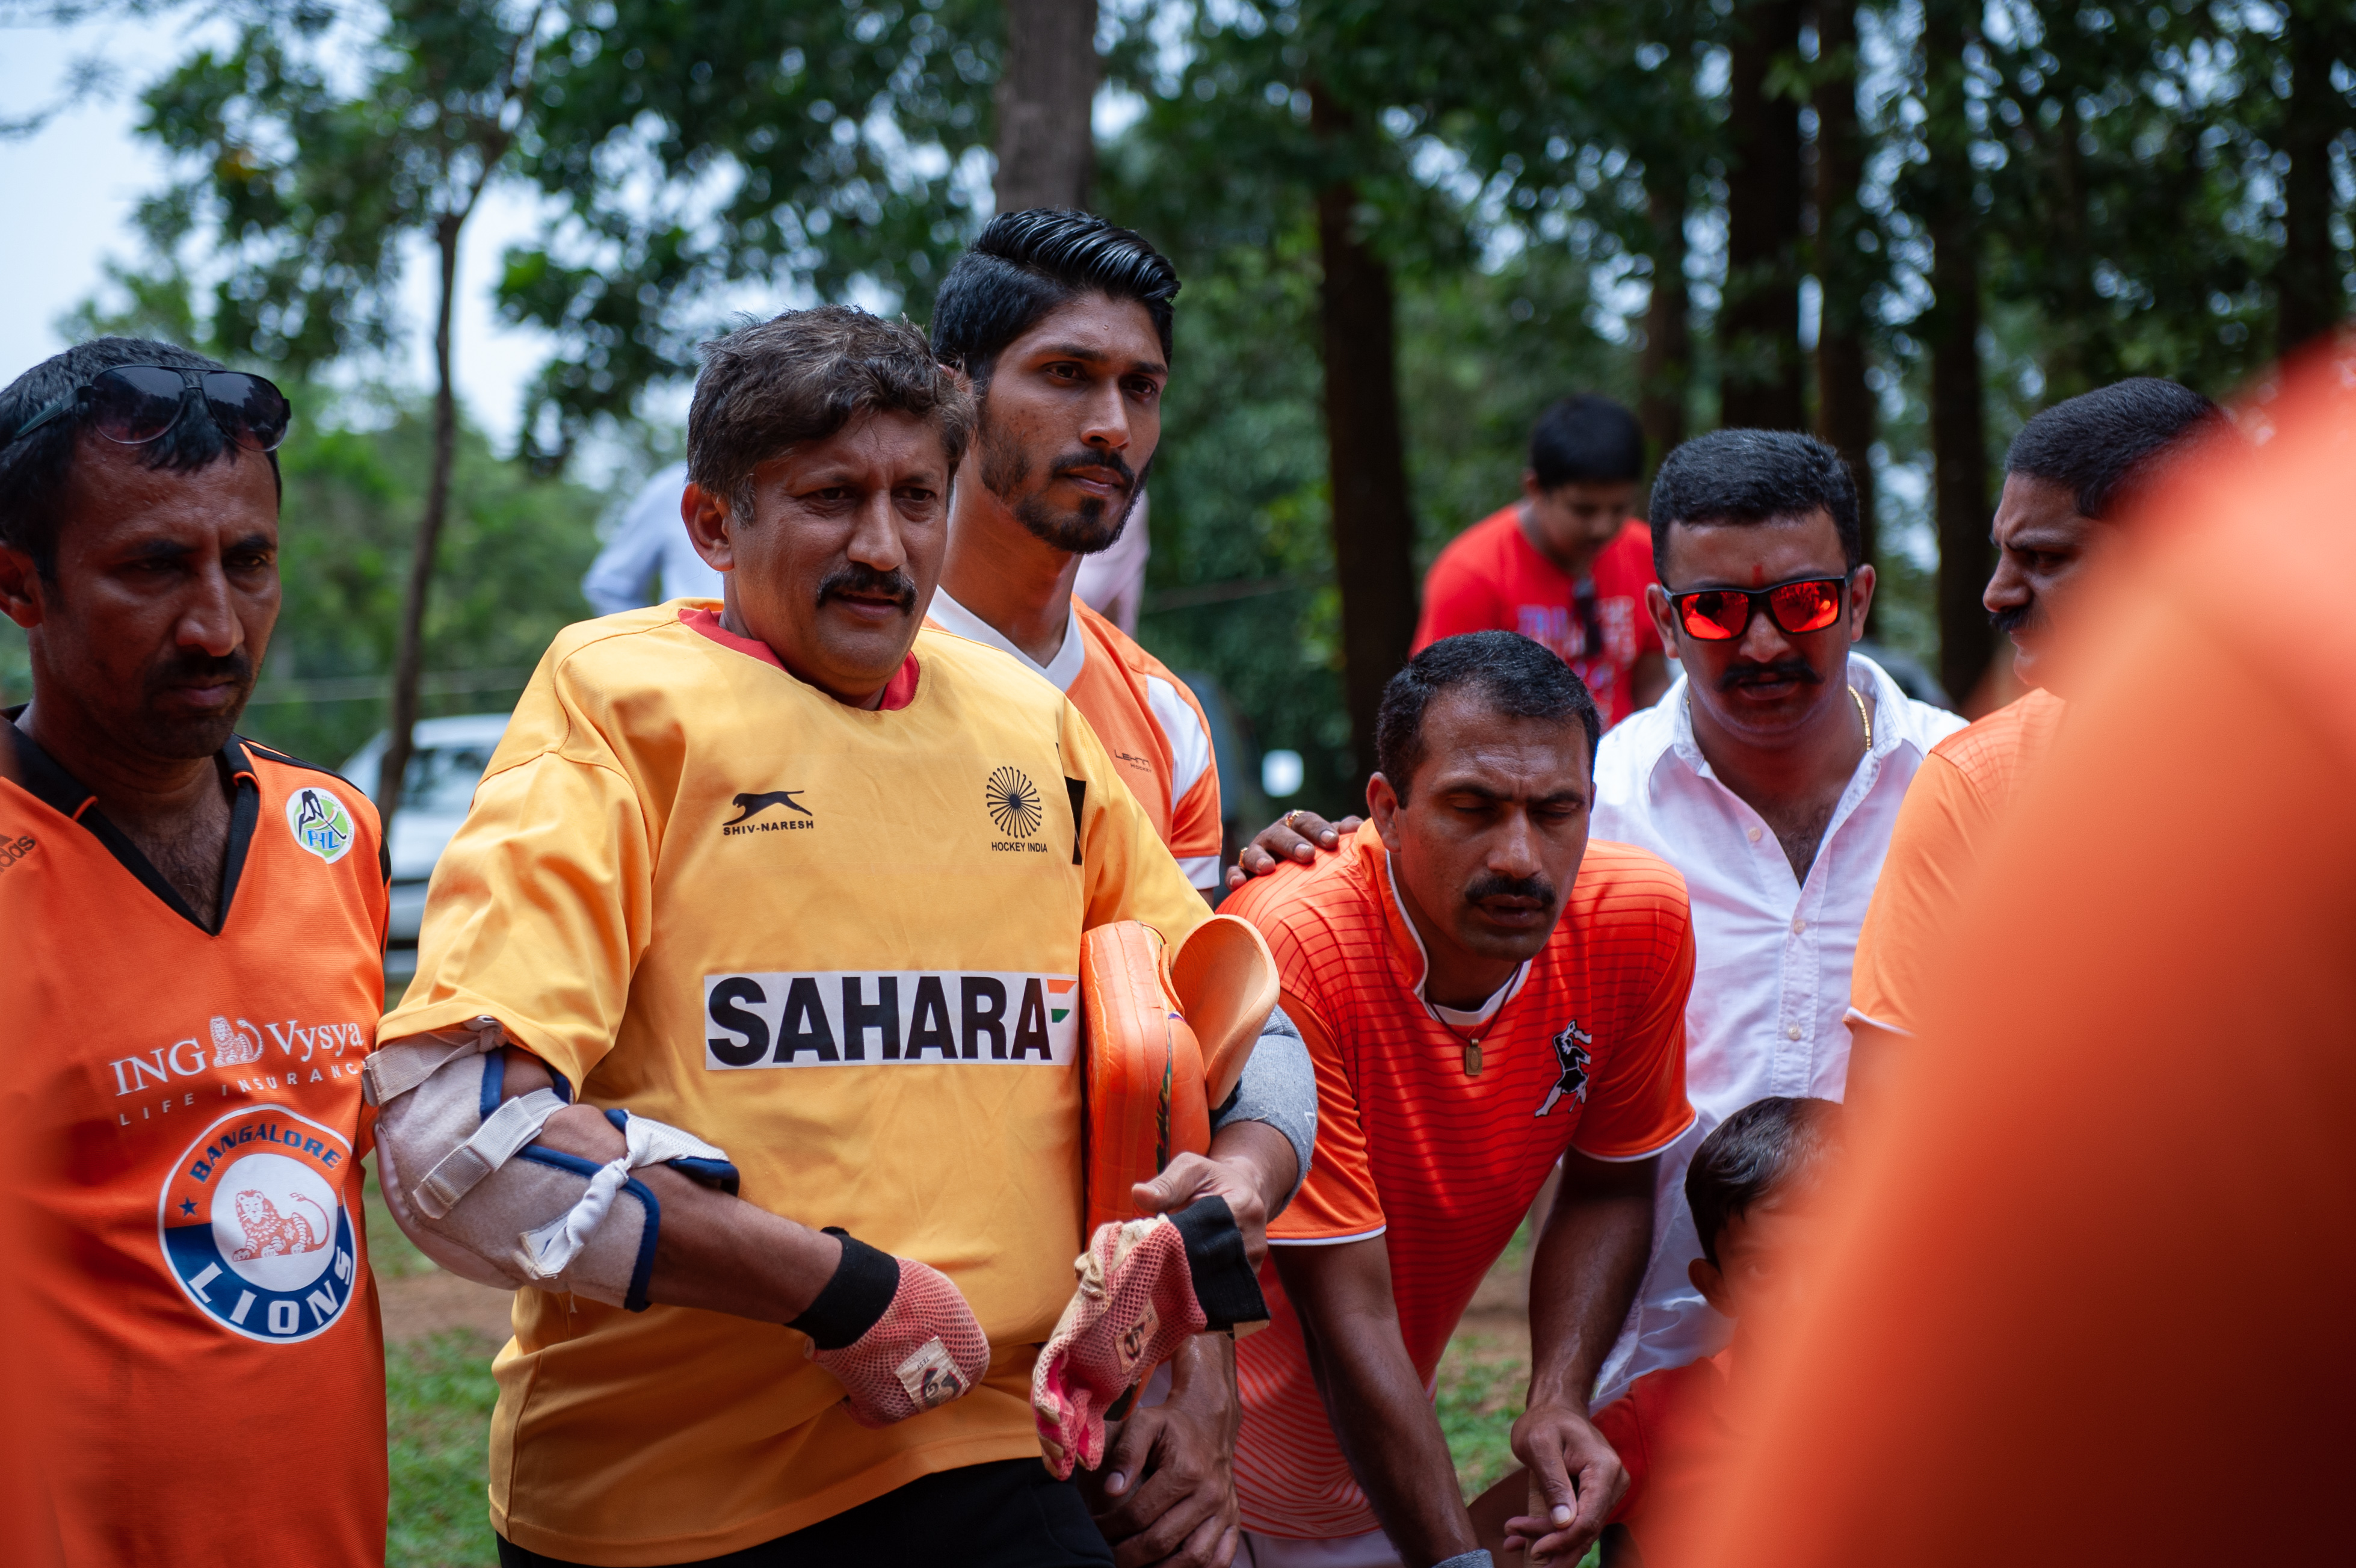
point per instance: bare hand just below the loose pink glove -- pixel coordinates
(1165, 1494)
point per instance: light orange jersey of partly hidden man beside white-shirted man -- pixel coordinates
(1940, 841)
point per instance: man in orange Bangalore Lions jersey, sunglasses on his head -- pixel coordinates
(194, 935)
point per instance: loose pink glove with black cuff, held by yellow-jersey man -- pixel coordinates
(1144, 1289)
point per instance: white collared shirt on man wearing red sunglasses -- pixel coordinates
(1771, 954)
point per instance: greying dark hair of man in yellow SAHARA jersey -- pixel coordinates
(805, 376)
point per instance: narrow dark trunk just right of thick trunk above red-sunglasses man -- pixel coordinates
(1844, 397)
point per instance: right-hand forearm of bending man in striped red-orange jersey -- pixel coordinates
(1584, 1277)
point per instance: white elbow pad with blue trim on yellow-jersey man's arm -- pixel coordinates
(482, 1199)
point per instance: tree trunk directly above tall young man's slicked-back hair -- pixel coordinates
(1047, 147)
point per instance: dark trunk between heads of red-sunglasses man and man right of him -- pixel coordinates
(1959, 437)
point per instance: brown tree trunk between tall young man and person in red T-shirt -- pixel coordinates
(1375, 532)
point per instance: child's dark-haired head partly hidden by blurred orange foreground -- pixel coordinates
(1754, 1192)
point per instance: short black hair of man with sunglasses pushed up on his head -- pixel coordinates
(34, 473)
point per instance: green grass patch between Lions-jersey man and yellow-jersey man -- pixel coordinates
(439, 1397)
